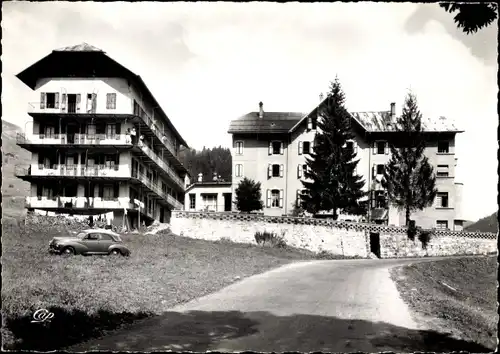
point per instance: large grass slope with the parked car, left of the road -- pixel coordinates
(94, 294)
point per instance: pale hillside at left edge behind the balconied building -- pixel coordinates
(14, 190)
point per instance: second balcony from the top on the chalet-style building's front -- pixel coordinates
(73, 139)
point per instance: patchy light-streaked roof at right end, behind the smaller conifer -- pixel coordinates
(382, 122)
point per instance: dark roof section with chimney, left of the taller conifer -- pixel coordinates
(271, 122)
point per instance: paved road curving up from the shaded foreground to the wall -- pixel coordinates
(339, 306)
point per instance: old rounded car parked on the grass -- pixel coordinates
(91, 241)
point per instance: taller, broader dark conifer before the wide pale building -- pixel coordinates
(333, 183)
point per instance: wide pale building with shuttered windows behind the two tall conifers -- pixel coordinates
(271, 148)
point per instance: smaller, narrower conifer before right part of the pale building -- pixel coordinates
(409, 177)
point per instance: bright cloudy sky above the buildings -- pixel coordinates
(209, 63)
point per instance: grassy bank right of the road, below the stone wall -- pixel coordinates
(461, 293)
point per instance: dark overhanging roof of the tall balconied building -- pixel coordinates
(85, 59)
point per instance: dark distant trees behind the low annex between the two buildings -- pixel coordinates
(207, 161)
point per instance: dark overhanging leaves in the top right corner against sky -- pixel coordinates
(472, 17)
